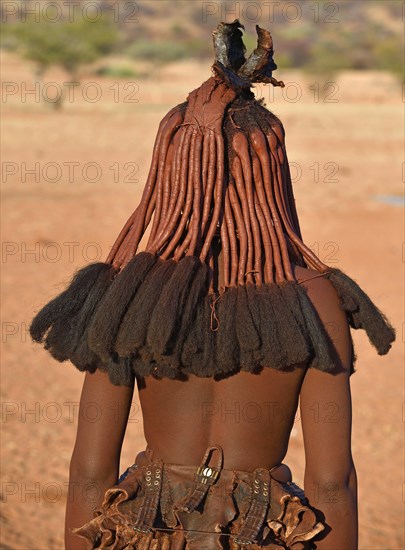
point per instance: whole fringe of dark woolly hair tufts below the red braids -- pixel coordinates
(155, 318)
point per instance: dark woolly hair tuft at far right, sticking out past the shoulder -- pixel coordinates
(362, 312)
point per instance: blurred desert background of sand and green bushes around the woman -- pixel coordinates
(74, 166)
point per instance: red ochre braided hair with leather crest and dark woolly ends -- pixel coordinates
(219, 180)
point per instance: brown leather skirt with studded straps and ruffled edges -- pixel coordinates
(160, 505)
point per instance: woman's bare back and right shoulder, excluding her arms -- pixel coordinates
(249, 415)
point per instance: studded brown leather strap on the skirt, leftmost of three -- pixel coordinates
(153, 483)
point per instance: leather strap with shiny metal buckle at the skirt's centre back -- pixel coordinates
(205, 476)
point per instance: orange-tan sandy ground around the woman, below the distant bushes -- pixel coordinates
(343, 154)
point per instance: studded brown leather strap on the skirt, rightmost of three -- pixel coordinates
(258, 508)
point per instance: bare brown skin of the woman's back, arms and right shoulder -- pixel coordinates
(253, 412)
